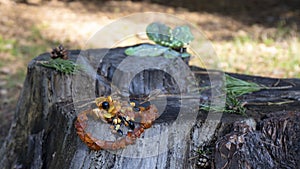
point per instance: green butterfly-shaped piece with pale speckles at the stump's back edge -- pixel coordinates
(169, 43)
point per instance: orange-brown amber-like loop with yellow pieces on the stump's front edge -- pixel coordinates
(116, 109)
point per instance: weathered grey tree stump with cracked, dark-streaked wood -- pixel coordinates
(43, 135)
